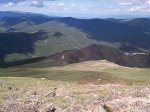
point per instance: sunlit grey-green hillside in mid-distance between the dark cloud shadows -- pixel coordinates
(71, 38)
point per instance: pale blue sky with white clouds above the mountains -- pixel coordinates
(79, 8)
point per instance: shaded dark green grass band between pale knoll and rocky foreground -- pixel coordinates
(54, 74)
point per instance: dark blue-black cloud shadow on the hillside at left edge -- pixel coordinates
(22, 43)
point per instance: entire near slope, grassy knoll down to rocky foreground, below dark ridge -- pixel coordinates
(93, 86)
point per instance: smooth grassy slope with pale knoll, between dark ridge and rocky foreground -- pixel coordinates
(99, 72)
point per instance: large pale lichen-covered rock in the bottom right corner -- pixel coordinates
(129, 105)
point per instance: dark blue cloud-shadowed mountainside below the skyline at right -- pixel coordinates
(109, 31)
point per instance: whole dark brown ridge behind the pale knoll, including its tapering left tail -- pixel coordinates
(92, 52)
